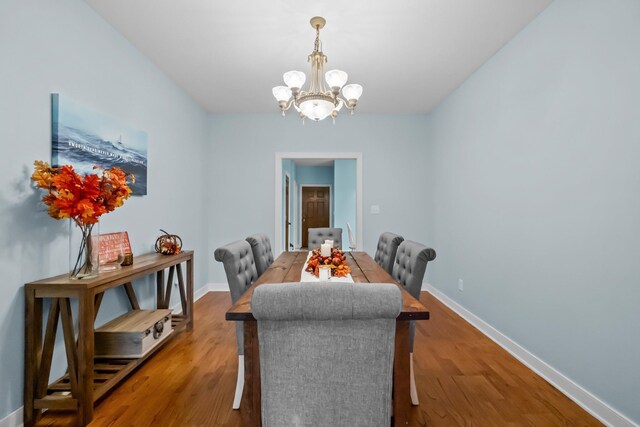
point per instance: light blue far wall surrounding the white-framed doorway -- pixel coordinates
(242, 153)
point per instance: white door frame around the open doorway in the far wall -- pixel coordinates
(280, 156)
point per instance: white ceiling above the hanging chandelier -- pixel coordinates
(408, 55)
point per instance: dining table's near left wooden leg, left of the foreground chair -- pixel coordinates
(250, 405)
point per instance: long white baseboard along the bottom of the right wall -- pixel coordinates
(573, 391)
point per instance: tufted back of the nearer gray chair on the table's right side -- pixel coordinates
(410, 264)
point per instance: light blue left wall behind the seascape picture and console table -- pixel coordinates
(64, 46)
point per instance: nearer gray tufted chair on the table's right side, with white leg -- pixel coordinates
(408, 270)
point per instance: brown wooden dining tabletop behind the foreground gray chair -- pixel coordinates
(288, 268)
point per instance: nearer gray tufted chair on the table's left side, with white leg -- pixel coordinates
(241, 272)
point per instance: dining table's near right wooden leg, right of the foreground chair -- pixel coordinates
(401, 373)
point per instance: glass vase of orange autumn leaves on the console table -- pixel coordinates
(82, 200)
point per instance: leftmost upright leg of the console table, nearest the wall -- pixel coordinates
(32, 354)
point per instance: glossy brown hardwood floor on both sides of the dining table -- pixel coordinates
(463, 379)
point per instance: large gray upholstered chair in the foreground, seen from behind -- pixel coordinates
(326, 352)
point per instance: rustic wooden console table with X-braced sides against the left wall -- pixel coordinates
(88, 378)
